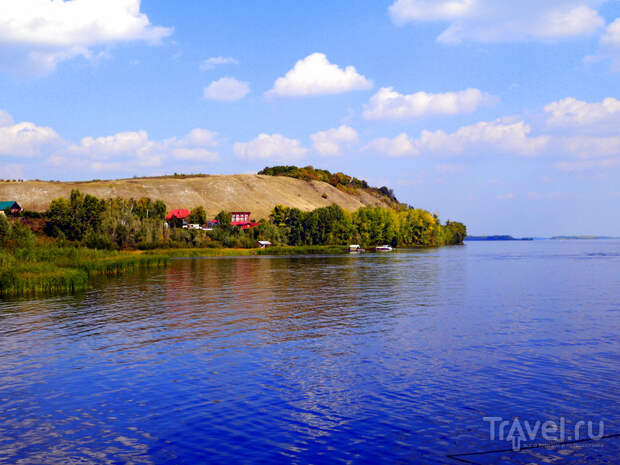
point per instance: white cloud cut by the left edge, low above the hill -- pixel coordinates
(25, 139)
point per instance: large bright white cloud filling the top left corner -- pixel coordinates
(35, 35)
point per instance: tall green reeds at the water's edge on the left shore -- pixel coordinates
(64, 270)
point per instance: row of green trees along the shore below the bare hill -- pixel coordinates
(117, 223)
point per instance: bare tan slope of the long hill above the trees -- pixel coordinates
(243, 192)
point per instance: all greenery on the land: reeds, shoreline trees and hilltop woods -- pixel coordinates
(59, 251)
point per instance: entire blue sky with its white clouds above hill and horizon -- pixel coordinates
(503, 115)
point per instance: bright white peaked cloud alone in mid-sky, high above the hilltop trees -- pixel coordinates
(315, 75)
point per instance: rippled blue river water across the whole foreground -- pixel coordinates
(373, 358)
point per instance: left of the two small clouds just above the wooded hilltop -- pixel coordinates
(270, 146)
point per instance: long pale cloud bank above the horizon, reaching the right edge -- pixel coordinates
(584, 136)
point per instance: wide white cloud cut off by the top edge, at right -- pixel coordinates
(492, 21)
